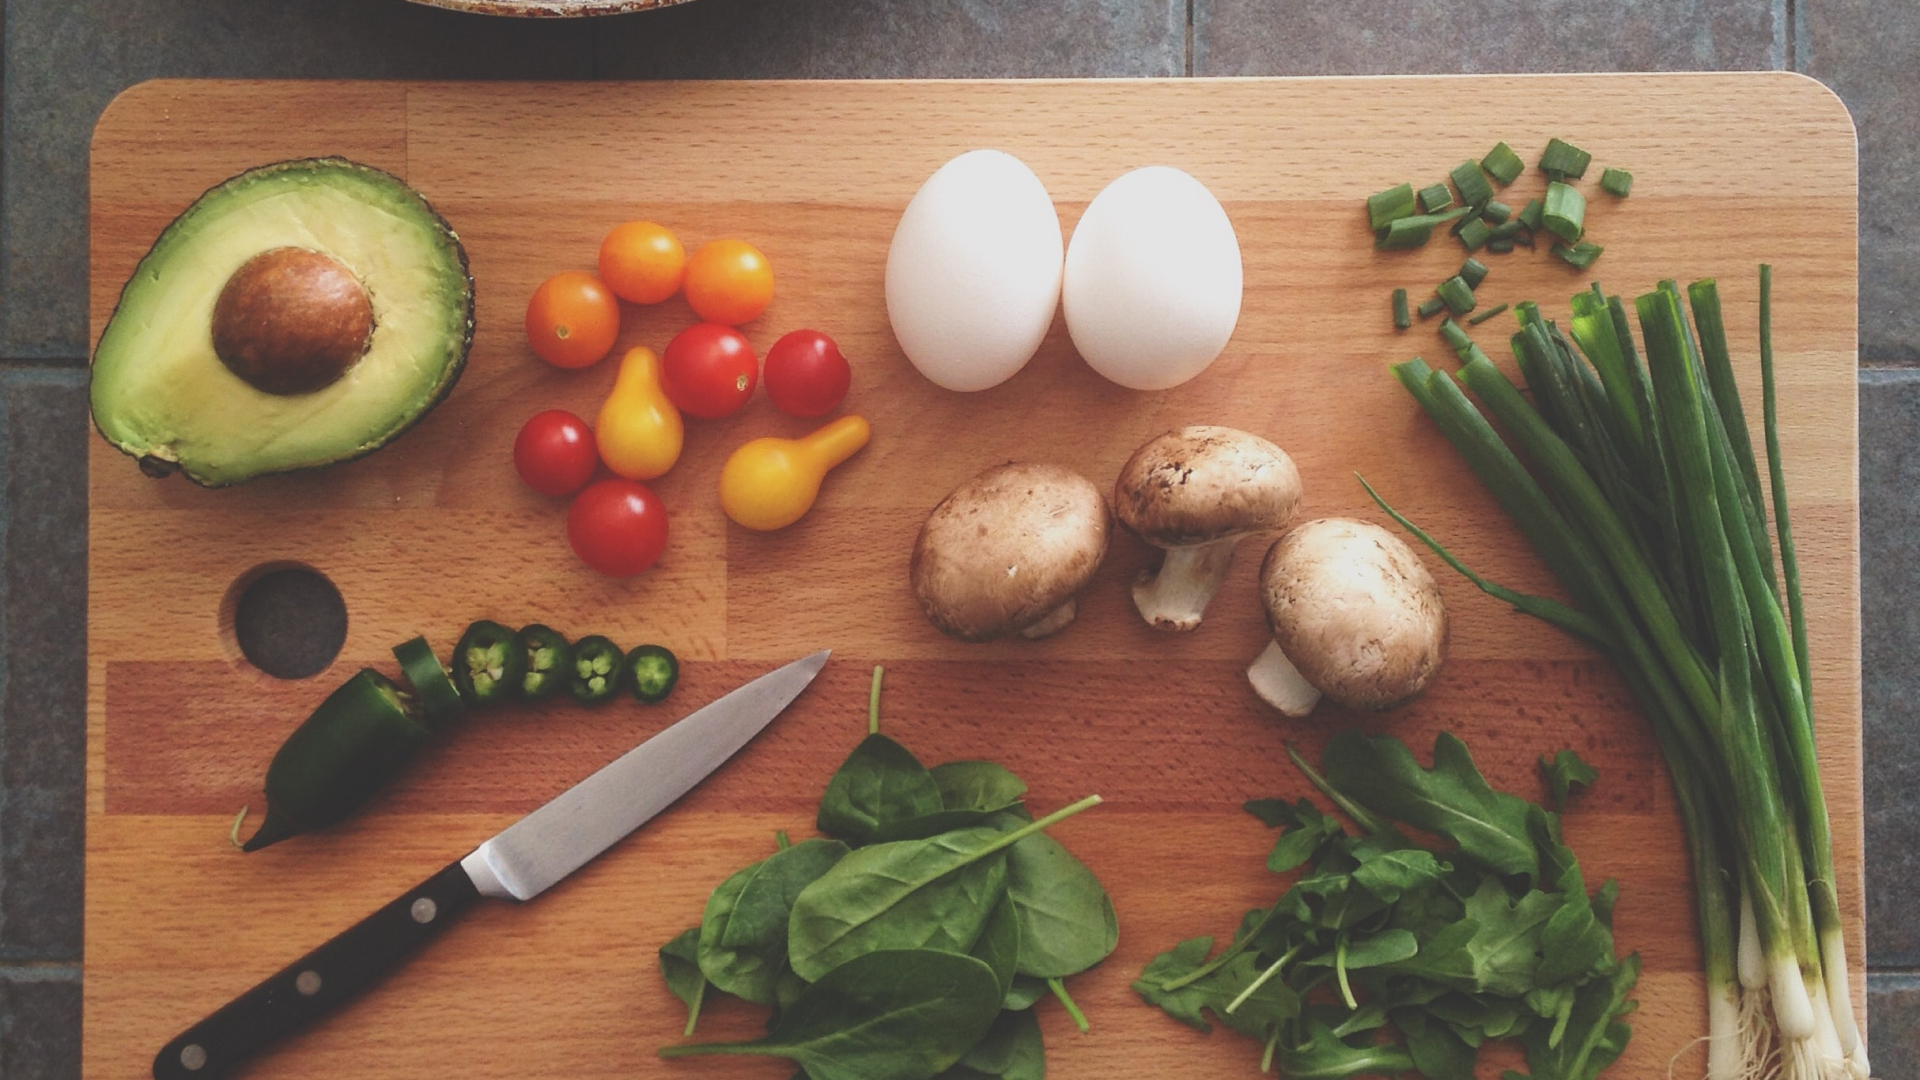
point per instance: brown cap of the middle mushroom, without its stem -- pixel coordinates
(1207, 483)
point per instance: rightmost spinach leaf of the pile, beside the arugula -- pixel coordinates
(1067, 920)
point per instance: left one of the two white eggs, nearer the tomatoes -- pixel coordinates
(974, 272)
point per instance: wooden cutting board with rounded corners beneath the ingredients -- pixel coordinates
(435, 531)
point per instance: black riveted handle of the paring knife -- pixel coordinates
(318, 983)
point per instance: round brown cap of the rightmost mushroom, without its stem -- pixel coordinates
(1355, 610)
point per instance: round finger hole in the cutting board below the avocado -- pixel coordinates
(287, 620)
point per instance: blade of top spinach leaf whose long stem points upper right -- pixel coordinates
(913, 895)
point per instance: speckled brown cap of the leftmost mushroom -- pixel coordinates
(1007, 549)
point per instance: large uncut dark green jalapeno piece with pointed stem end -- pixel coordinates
(360, 737)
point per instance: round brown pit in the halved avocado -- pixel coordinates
(293, 322)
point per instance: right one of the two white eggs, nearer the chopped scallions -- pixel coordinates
(1153, 280)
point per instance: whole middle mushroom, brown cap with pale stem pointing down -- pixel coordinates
(1197, 493)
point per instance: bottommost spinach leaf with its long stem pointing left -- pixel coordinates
(888, 1016)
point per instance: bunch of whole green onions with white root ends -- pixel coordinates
(1639, 485)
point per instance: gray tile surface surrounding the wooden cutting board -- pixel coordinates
(66, 59)
